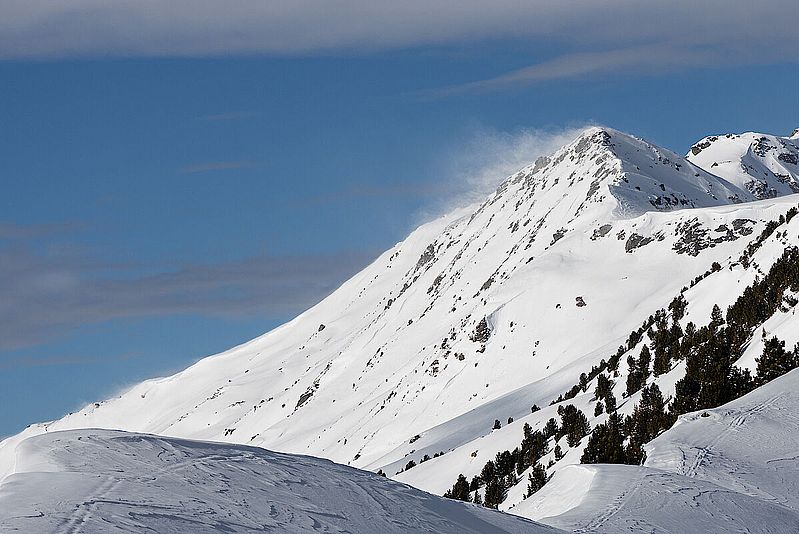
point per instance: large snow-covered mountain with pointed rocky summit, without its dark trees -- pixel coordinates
(481, 314)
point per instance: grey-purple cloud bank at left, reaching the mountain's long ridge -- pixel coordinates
(48, 292)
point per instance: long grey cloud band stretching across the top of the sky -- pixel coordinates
(593, 37)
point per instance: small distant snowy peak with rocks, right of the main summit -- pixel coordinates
(764, 165)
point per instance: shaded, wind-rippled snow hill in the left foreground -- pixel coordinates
(108, 481)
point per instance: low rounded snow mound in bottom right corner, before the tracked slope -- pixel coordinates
(626, 498)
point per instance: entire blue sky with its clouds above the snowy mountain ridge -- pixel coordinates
(170, 191)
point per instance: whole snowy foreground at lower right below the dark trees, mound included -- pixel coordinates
(730, 469)
